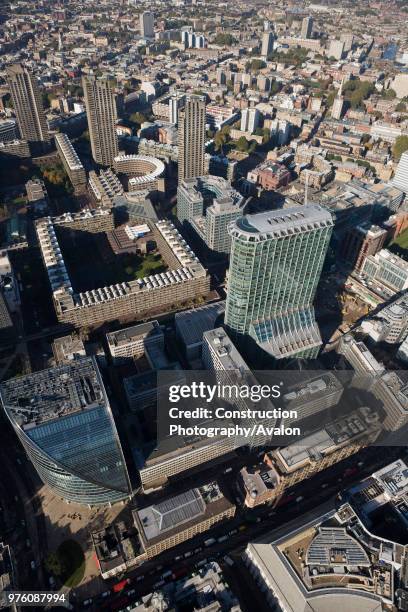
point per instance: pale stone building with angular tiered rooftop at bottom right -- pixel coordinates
(300, 567)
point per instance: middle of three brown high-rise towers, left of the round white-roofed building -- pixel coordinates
(101, 113)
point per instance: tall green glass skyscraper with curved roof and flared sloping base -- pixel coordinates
(275, 266)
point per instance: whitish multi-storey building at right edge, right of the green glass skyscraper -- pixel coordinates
(387, 270)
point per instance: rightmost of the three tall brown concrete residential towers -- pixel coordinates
(191, 138)
